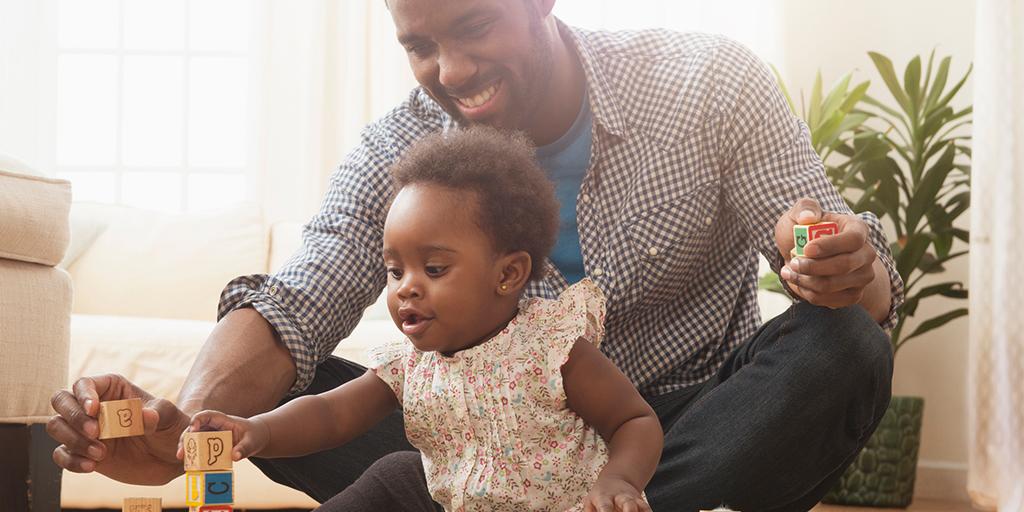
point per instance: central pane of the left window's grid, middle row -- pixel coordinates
(154, 90)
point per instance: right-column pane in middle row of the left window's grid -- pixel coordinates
(218, 112)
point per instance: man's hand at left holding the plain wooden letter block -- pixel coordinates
(147, 460)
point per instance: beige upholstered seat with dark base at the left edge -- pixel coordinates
(35, 308)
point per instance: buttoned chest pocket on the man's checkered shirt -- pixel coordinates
(668, 242)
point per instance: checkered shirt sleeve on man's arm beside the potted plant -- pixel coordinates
(772, 163)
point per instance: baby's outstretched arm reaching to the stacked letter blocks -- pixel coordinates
(308, 424)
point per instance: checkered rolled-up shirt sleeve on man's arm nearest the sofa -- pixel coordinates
(319, 296)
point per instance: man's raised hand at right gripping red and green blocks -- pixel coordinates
(836, 271)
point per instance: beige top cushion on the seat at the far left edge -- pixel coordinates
(33, 217)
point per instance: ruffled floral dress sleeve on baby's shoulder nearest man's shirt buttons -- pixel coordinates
(578, 314)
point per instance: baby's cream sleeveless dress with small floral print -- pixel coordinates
(492, 421)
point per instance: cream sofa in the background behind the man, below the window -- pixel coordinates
(146, 294)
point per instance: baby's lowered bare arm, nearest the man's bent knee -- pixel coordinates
(606, 399)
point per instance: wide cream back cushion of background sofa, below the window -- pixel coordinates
(165, 266)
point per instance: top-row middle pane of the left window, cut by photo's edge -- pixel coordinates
(155, 25)
